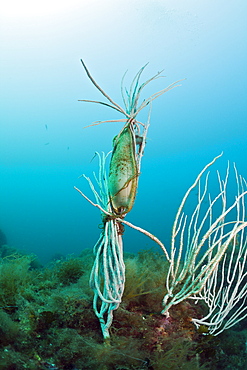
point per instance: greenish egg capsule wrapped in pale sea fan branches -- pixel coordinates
(123, 174)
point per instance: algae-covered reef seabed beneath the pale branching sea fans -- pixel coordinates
(47, 320)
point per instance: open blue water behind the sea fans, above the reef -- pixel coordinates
(44, 148)
